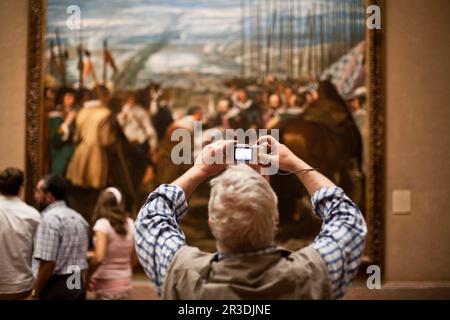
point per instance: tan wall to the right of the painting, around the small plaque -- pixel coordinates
(418, 139)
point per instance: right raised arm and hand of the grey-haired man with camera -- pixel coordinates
(342, 236)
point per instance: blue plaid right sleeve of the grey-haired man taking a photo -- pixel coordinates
(341, 240)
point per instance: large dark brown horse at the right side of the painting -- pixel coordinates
(327, 138)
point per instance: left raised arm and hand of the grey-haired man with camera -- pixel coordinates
(158, 235)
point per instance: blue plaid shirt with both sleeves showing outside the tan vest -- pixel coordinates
(340, 242)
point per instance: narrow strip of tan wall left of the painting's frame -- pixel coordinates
(13, 44)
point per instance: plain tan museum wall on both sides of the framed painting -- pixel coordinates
(417, 133)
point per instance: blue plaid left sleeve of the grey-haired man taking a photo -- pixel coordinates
(157, 233)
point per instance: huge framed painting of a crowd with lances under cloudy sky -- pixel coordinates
(119, 77)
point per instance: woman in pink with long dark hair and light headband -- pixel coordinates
(111, 266)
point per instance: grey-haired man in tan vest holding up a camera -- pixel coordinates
(243, 218)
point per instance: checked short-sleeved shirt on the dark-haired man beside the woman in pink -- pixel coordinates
(62, 236)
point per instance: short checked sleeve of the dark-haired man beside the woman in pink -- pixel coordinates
(46, 241)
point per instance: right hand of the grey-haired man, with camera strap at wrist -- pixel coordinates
(279, 153)
